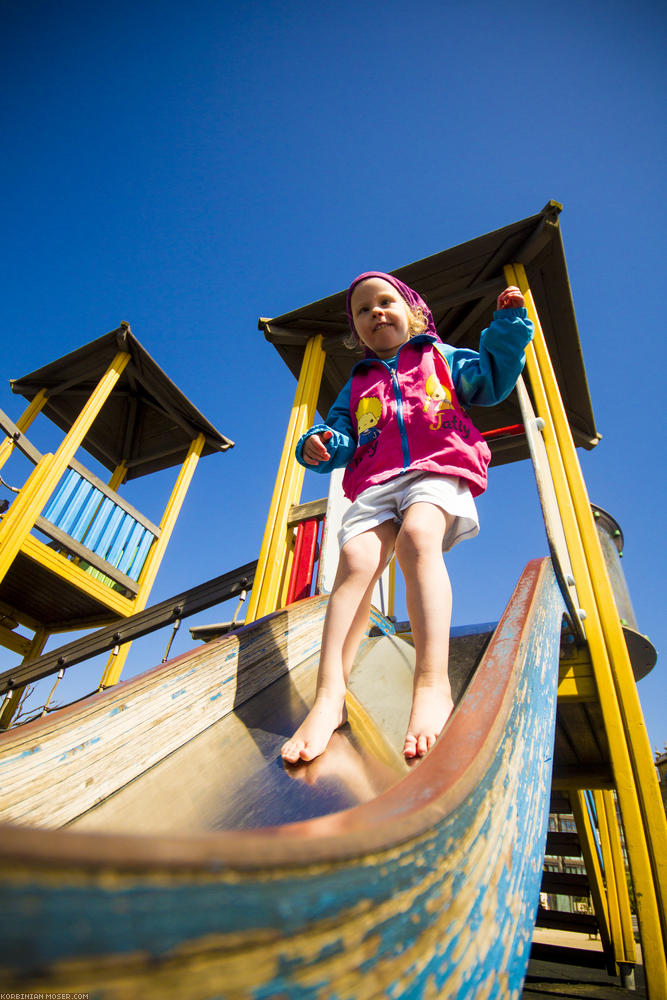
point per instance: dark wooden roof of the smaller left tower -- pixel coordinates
(147, 422)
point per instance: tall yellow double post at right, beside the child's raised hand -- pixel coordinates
(547, 398)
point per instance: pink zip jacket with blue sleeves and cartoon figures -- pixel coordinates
(406, 414)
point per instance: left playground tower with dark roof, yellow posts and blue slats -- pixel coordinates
(74, 554)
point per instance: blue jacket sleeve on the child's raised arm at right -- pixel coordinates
(487, 377)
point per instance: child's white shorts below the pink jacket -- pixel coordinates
(390, 500)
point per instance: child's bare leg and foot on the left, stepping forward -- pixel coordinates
(361, 563)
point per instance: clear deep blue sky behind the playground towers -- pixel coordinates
(191, 166)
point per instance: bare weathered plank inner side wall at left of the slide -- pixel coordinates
(54, 769)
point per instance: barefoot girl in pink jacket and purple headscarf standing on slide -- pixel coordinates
(412, 481)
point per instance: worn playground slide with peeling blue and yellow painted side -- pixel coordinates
(154, 845)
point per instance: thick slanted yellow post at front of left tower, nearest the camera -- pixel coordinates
(21, 516)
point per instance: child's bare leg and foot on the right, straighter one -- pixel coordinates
(429, 600)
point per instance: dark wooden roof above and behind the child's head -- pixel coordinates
(461, 286)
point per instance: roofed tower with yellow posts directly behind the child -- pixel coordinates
(546, 420)
